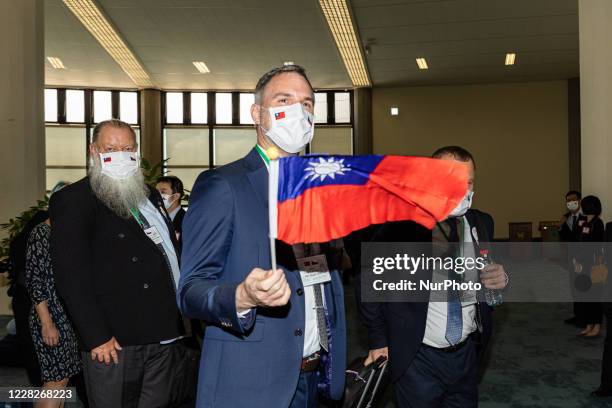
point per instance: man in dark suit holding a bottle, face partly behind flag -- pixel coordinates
(434, 347)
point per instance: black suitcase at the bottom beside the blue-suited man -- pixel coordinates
(365, 385)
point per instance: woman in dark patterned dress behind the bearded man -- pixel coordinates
(56, 343)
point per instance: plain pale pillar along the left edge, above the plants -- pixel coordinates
(22, 156)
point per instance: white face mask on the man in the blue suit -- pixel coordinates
(291, 127)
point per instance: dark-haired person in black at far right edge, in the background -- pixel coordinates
(590, 232)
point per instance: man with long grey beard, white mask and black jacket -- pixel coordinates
(116, 266)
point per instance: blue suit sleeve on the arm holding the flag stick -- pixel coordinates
(207, 236)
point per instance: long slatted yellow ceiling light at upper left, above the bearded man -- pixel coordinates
(94, 20)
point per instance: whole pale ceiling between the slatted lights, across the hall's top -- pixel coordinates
(464, 41)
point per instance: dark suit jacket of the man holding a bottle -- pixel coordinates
(401, 325)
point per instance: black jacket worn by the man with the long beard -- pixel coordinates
(112, 277)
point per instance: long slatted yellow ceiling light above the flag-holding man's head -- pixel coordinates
(341, 25)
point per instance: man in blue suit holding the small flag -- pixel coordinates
(271, 341)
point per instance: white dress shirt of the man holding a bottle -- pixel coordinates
(437, 312)
